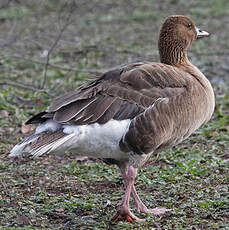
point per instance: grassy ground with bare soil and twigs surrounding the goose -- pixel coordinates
(51, 47)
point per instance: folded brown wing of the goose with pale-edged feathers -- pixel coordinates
(122, 93)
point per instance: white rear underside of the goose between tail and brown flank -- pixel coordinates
(99, 141)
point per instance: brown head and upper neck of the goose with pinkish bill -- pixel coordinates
(176, 35)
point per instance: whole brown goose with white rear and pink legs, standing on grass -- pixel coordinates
(130, 113)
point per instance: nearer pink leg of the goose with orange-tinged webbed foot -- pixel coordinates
(124, 209)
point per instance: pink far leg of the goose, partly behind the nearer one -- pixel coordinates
(142, 208)
